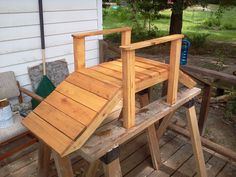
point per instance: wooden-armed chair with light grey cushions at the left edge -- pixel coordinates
(10, 89)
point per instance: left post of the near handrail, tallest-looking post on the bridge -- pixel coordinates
(128, 60)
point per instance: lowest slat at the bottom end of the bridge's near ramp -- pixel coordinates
(50, 135)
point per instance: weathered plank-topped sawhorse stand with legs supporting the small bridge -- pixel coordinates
(105, 147)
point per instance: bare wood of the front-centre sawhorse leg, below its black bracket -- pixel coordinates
(112, 169)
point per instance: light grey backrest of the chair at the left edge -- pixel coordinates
(8, 85)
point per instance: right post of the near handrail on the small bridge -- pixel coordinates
(175, 50)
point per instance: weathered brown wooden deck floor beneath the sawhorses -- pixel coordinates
(176, 155)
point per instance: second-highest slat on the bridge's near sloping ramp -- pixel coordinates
(82, 96)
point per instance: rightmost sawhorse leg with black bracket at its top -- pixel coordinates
(195, 138)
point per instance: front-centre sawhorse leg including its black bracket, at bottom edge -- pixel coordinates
(111, 163)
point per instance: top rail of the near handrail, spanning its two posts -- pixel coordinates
(151, 42)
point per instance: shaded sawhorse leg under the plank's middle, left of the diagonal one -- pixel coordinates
(153, 144)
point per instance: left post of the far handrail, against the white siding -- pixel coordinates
(79, 53)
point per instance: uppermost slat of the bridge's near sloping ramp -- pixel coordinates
(89, 83)
